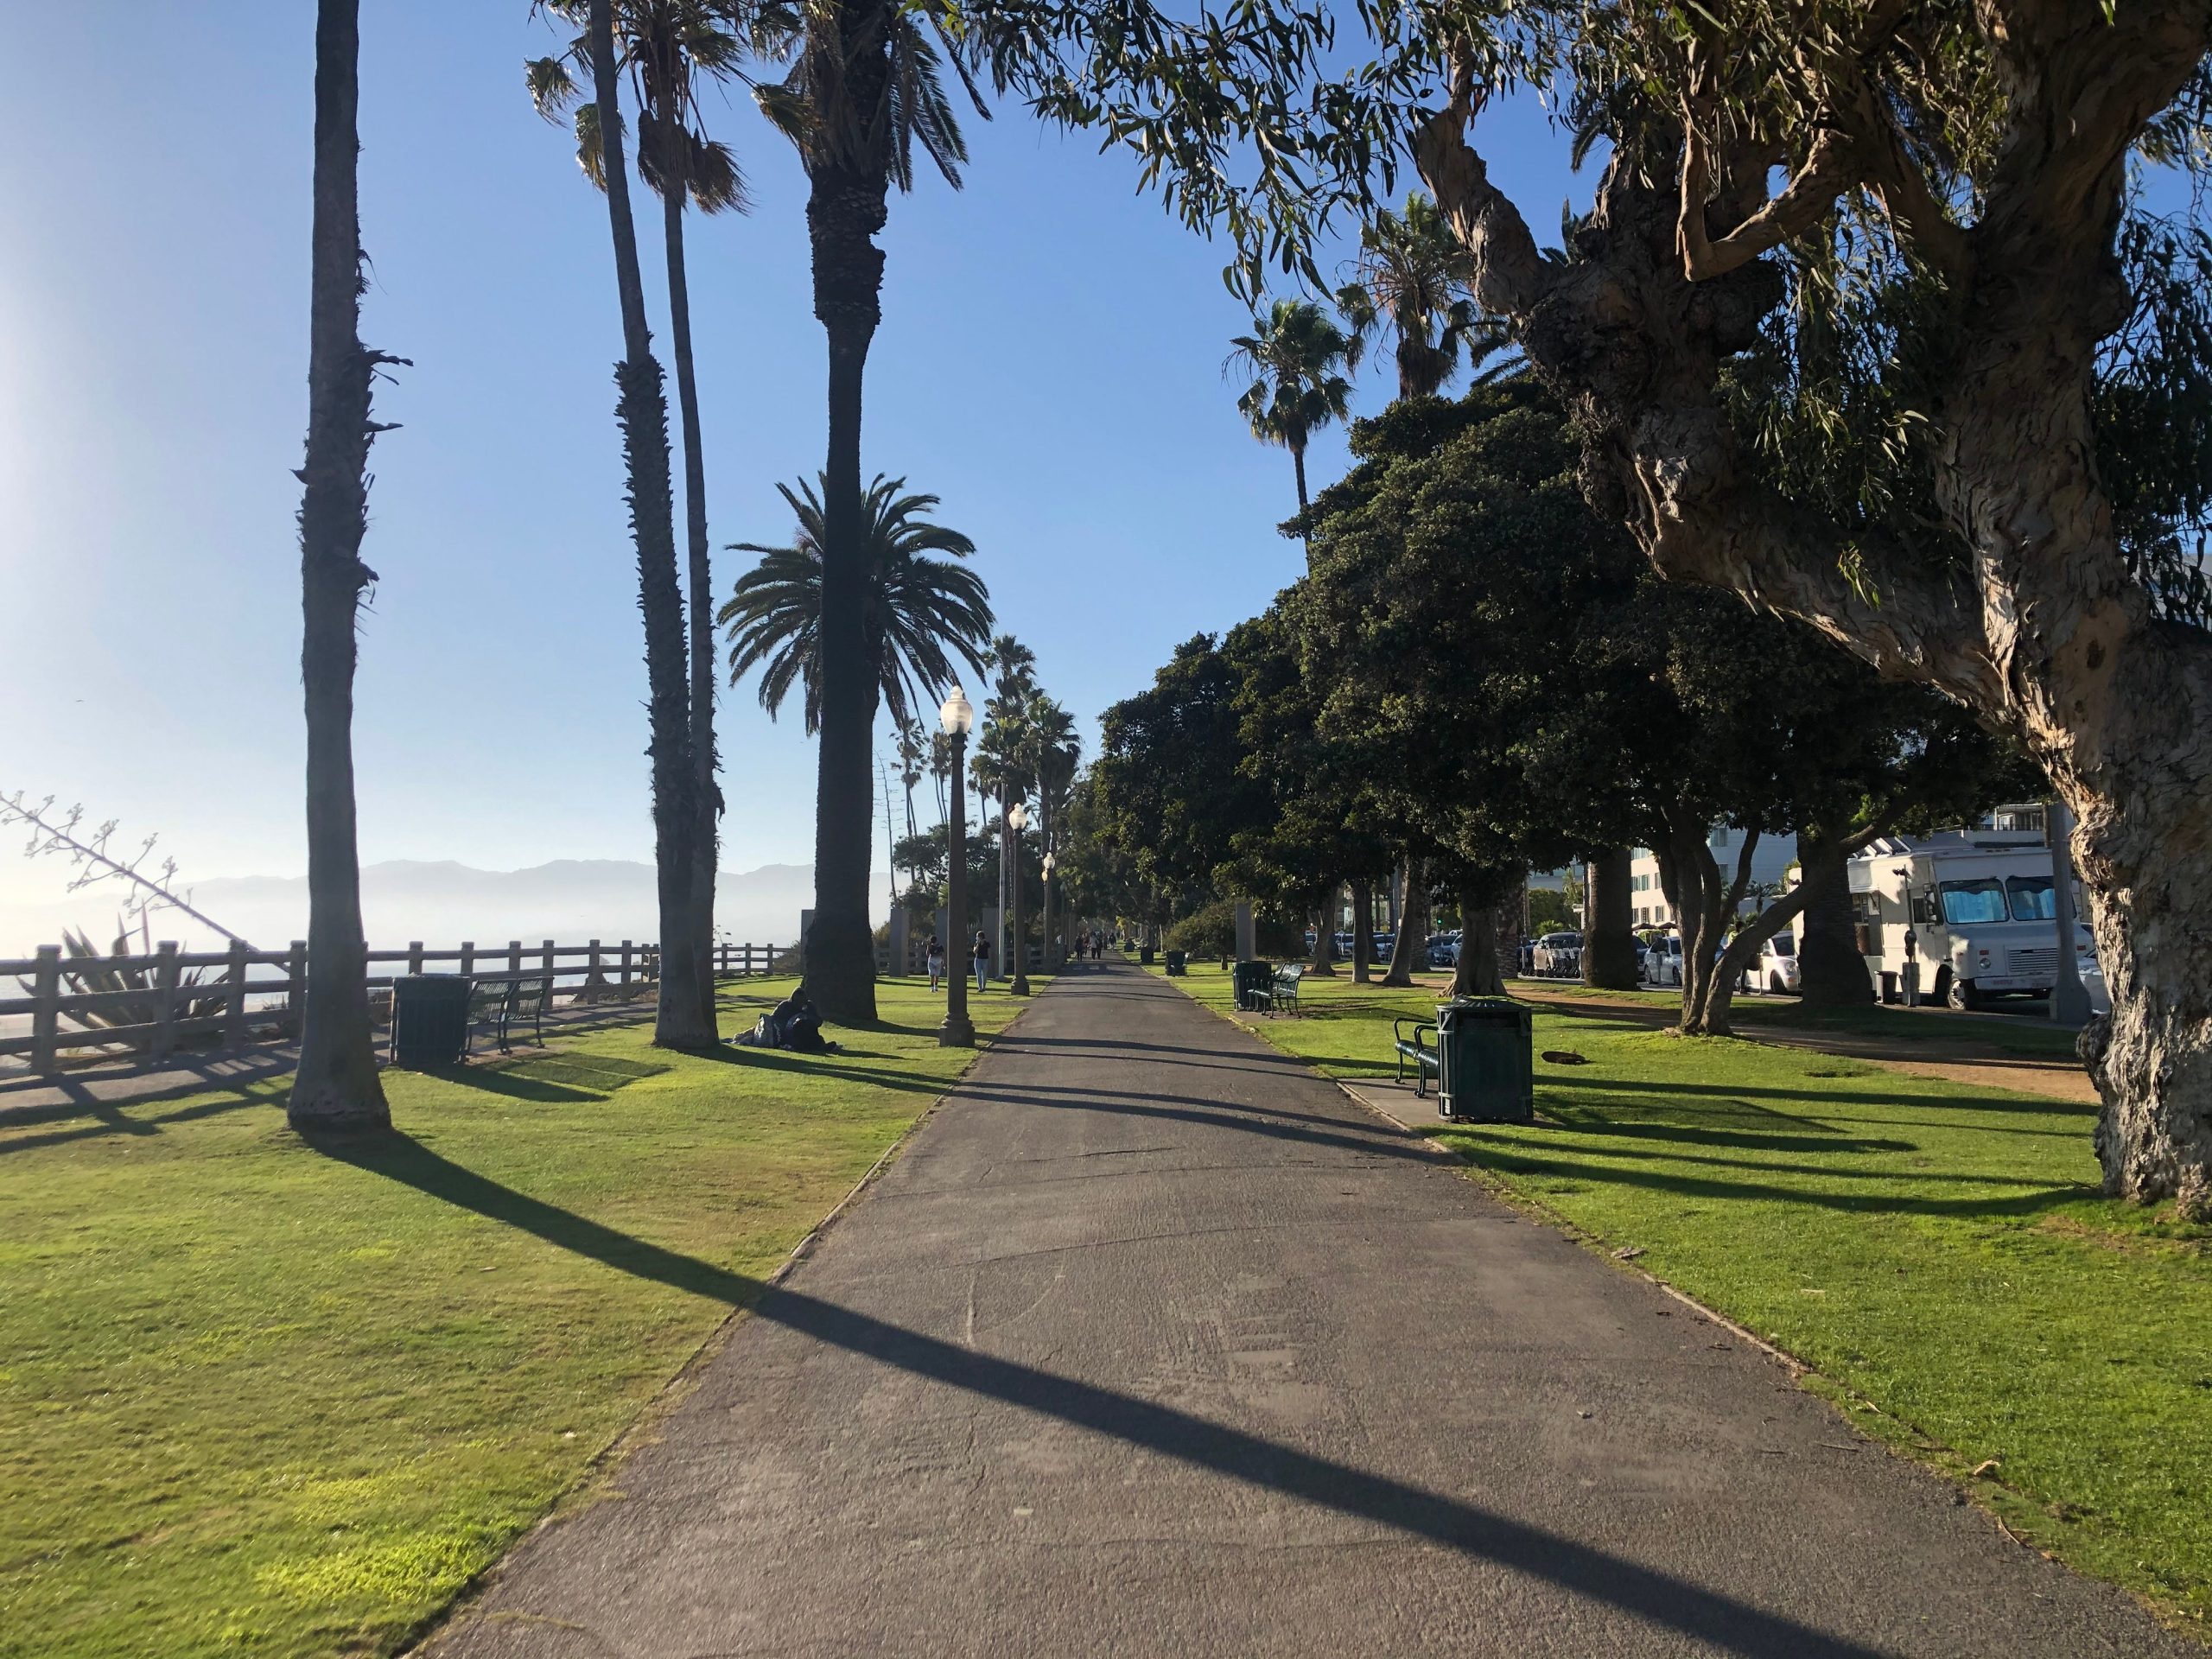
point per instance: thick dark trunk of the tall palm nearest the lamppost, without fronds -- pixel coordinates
(846, 209)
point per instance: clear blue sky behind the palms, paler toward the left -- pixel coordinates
(1050, 364)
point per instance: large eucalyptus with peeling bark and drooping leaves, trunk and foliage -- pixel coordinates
(2003, 348)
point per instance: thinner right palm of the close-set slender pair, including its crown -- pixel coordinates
(667, 48)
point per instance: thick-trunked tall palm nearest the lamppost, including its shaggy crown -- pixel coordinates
(859, 101)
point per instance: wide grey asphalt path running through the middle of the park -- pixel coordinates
(1156, 1344)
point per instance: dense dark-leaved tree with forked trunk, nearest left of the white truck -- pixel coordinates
(1527, 691)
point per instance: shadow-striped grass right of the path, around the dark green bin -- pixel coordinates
(1937, 1253)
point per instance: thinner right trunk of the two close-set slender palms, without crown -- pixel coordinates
(707, 797)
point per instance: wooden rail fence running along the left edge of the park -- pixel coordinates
(160, 1005)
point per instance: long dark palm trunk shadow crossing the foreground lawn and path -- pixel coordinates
(1468, 1530)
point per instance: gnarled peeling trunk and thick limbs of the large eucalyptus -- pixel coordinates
(2045, 634)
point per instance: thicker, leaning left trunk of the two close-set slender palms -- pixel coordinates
(643, 415)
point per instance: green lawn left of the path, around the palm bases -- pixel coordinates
(262, 1399)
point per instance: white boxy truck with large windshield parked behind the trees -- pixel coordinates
(1961, 919)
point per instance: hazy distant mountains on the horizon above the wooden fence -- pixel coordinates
(444, 904)
